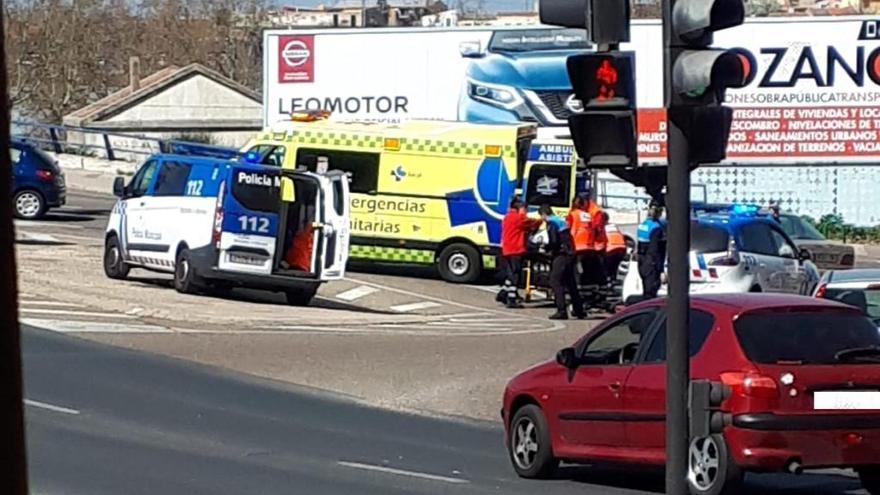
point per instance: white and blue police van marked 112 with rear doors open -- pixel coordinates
(220, 224)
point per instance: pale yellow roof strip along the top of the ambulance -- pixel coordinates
(413, 129)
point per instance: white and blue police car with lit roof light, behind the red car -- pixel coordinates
(735, 249)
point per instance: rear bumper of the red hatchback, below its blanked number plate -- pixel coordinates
(768, 442)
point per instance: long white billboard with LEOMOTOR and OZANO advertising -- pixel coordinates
(813, 94)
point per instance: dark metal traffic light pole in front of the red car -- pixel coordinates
(678, 218)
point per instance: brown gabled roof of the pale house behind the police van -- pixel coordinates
(149, 86)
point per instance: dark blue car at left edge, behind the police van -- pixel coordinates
(37, 181)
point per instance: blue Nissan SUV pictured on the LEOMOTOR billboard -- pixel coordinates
(521, 77)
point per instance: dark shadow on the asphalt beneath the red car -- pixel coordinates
(653, 480)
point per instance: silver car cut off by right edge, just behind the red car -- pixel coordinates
(857, 287)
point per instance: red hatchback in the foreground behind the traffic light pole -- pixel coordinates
(804, 375)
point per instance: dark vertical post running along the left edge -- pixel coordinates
(13, 474)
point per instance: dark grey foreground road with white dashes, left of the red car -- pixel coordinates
(102, 420)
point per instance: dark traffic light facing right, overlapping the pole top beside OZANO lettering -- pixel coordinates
(697, 75)
